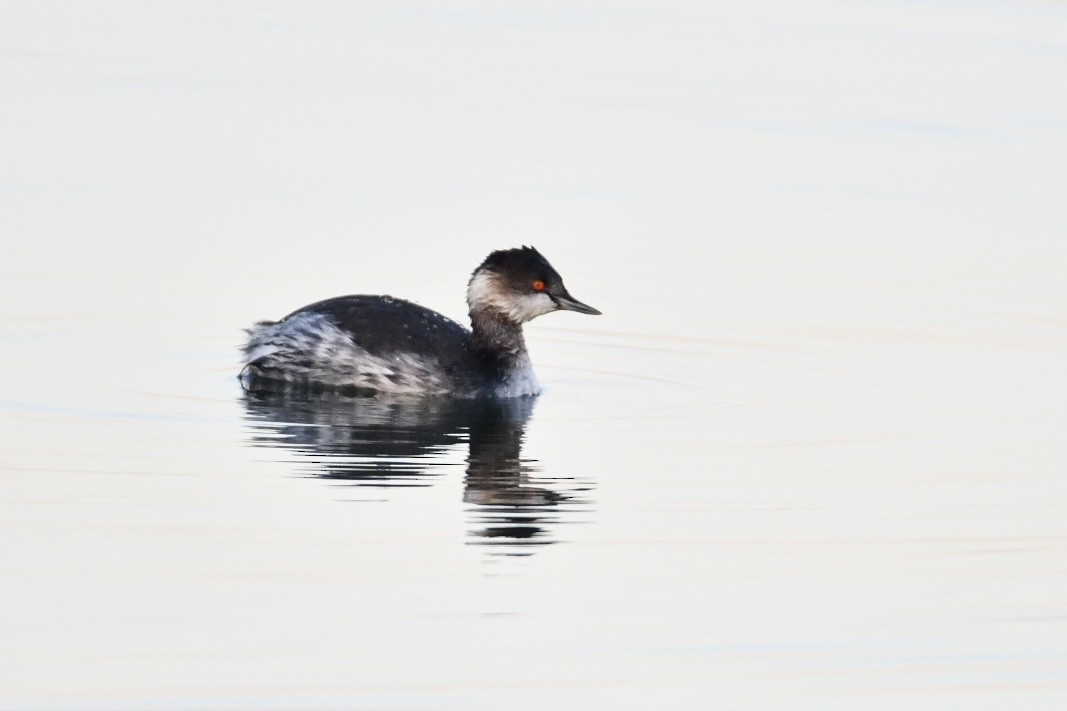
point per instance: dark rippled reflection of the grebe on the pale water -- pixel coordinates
(388, 444)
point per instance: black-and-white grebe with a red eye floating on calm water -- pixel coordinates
(378, 344)
